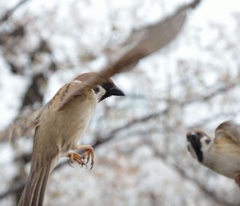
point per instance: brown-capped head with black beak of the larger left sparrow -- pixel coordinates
(103, 87)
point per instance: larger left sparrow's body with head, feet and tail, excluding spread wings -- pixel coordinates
(59, 125)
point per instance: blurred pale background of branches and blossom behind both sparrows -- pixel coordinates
(140, 147)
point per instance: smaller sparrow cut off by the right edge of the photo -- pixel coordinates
(222, 153)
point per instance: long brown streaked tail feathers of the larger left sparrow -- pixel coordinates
(34, 190)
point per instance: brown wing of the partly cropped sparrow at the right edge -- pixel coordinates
(229, 129)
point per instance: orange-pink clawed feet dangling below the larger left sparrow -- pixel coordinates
(84, 158)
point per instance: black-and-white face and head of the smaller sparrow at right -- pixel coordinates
(198, 142)
